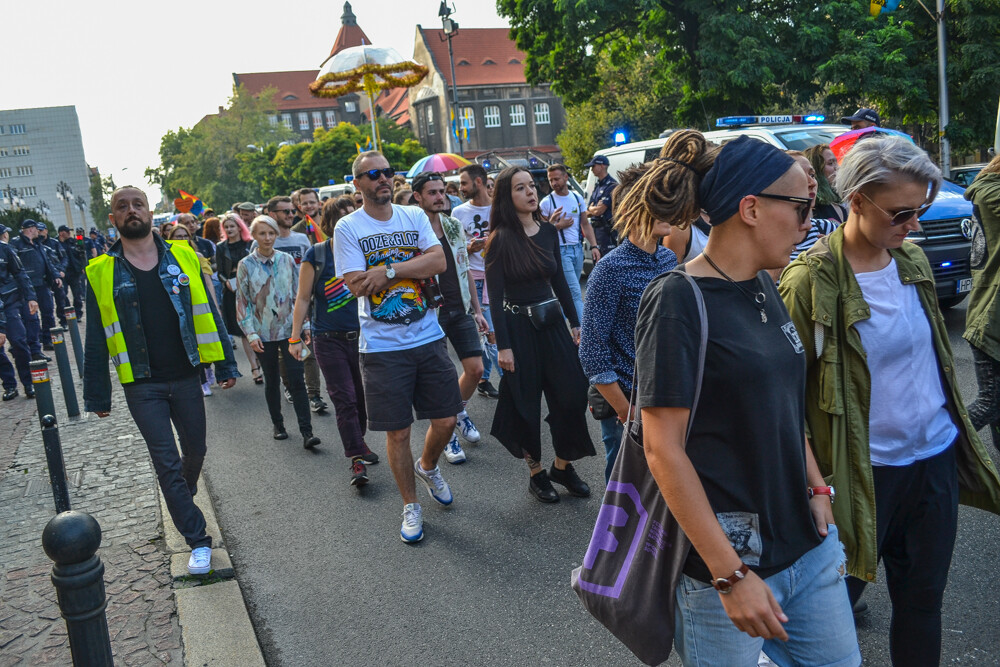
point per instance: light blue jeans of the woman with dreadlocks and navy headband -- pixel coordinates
(811, 592)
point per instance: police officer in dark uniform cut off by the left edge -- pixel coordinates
(16, 293)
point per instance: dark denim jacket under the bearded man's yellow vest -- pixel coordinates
(97, 373)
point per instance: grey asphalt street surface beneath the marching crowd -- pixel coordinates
(328, 581)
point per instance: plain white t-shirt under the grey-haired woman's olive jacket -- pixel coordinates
(909, 419)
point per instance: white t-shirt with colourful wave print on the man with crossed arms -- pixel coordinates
(398, 318)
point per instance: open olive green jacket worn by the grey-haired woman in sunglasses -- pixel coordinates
(825, 302)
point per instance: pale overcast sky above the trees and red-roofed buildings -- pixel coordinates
(137, 69)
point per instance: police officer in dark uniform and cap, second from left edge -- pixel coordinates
(44, 278)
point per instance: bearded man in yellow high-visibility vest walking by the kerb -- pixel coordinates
(151, 314)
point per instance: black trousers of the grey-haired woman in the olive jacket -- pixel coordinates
(916, 508)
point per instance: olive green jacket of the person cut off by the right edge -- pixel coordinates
(982, 326)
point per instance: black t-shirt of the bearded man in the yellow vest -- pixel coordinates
(161, 327)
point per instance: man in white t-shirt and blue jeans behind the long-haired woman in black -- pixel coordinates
(566, 211)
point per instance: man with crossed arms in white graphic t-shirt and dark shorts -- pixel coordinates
(385, 252)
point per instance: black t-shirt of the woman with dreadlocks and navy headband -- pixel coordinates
(748, 437)
